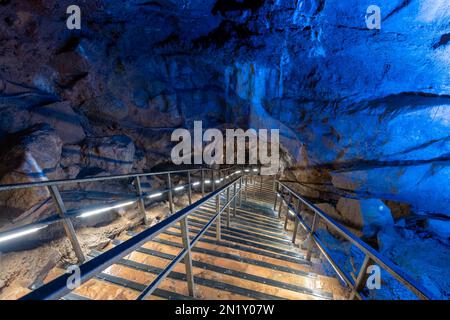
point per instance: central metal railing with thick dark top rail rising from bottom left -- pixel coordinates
(58, 287)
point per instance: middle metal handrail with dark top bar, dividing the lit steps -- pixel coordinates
(58, 287)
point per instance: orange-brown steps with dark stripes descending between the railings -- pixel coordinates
(254, 259)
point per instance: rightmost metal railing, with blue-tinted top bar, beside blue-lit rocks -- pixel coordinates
(287, 194)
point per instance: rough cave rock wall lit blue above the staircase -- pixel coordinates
(361, 111)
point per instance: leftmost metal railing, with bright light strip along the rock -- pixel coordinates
(66, 216)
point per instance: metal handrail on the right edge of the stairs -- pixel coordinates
(371, 255)
